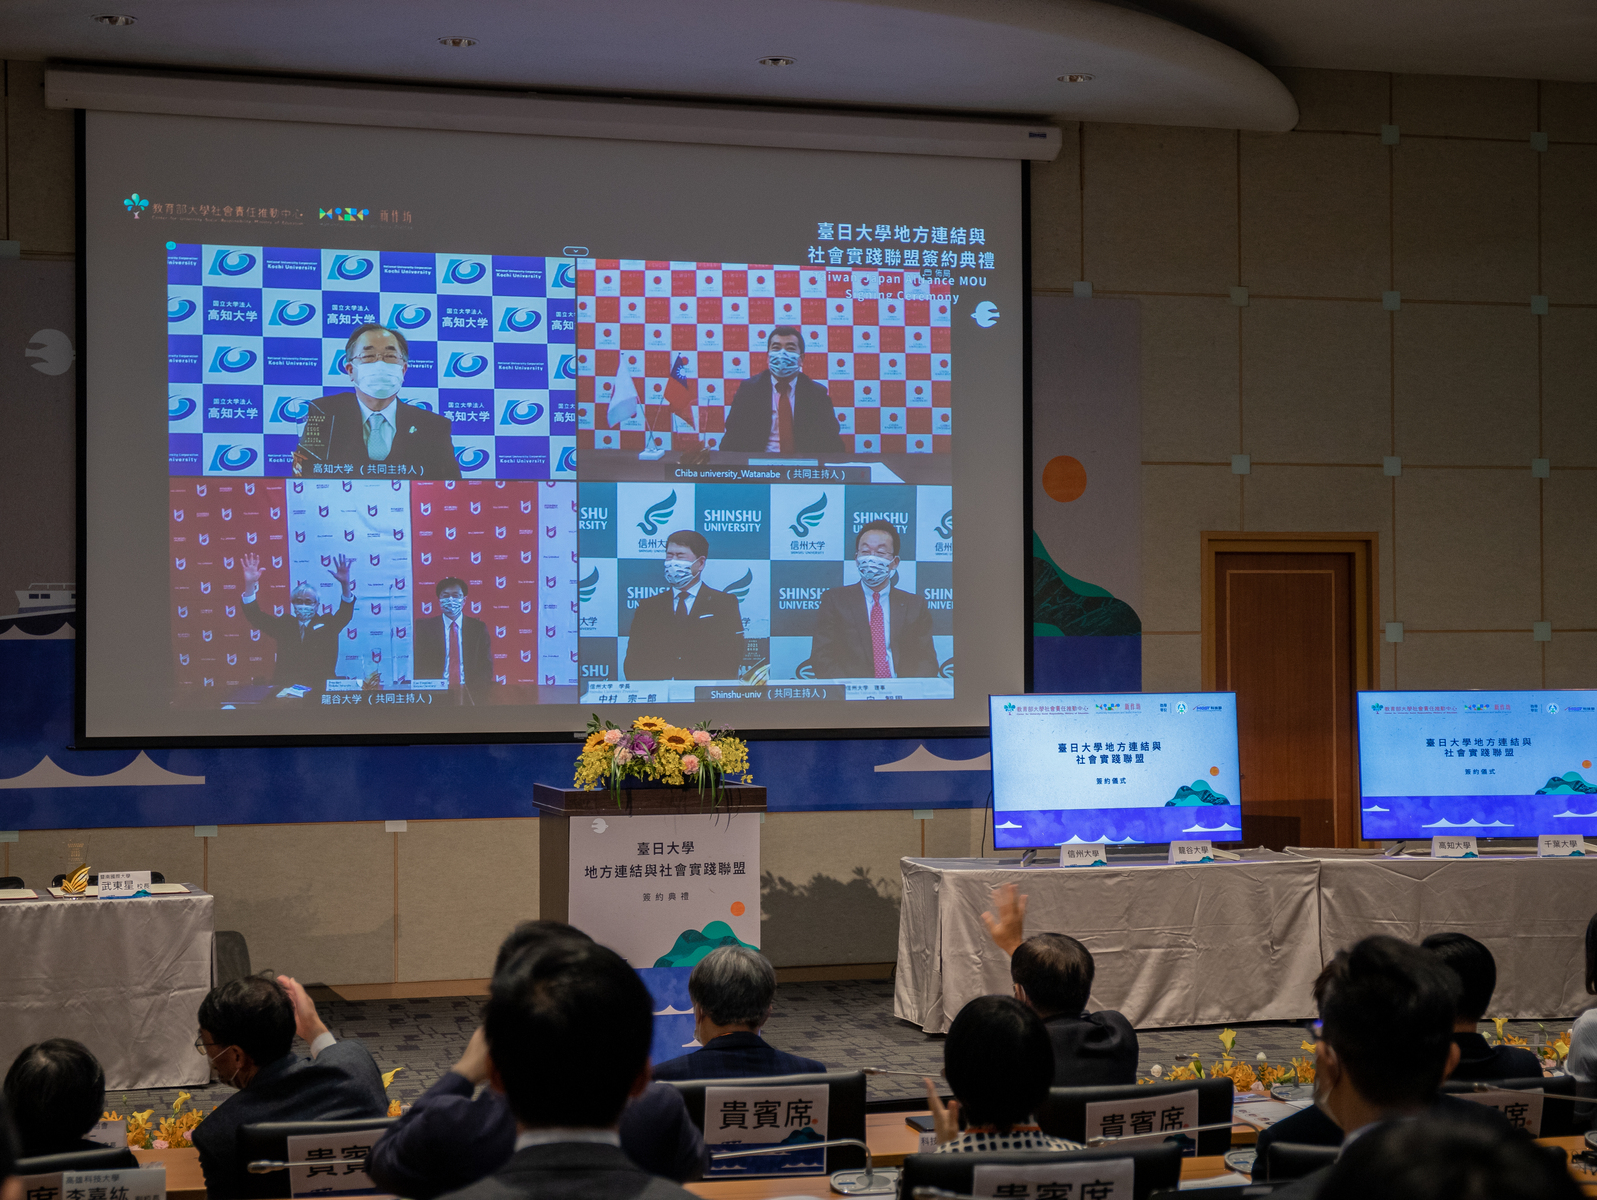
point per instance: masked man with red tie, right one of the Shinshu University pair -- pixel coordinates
(873, 630)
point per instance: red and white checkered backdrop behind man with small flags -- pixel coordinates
(884, 360)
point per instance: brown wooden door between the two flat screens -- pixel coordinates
(1285, 642)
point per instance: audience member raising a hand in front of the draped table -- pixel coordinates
(1053, 975)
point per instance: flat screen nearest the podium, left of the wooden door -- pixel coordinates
(1122, 768)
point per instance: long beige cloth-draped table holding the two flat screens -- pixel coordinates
(1227, 942)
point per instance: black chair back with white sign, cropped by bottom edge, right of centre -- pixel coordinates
(1151, 1166)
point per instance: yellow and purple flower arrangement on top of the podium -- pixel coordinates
(662, 753)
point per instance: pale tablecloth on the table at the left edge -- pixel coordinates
(122, 977)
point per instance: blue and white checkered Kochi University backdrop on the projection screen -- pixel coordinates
(256, 333)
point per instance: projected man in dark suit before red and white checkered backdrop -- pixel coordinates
(782, 410)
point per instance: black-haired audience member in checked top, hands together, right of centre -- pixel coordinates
(1001, 1065)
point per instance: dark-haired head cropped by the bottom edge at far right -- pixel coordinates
(1438, 1159)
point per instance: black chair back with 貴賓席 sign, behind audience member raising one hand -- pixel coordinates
(1141, 1108)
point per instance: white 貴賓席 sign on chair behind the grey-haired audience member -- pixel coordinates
(743, 1119)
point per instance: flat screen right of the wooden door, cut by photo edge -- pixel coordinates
(1494, 765)
